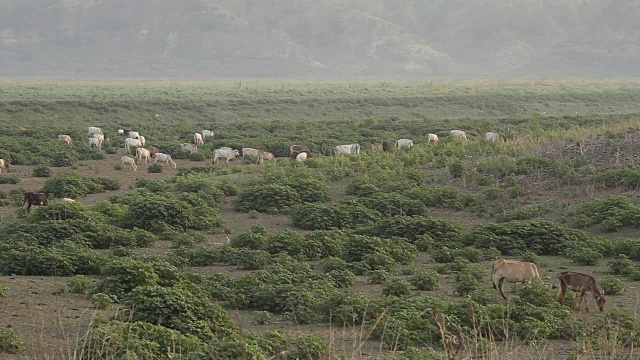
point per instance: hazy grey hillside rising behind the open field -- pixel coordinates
(227, 38)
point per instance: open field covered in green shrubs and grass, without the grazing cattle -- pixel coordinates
(196, 251)
